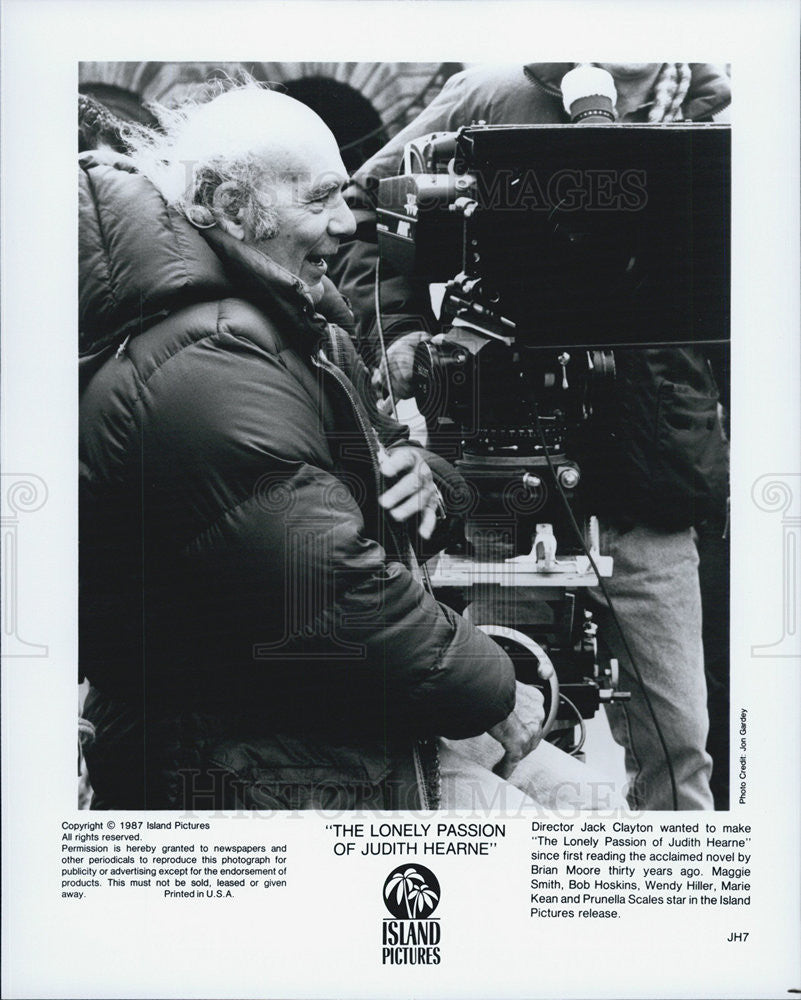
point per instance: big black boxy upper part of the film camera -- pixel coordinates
(581, 236)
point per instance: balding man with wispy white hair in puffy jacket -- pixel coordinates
(251, 626)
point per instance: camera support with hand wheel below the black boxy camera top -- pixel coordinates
(525, 585)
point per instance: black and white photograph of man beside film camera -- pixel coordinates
(265, 618)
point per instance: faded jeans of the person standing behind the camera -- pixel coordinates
(655, 591)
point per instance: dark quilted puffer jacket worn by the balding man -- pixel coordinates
(247, 623)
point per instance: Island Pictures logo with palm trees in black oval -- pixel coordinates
(412, 935)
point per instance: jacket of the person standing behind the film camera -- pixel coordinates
(660, 458)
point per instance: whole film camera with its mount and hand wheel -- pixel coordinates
(557, 245)
